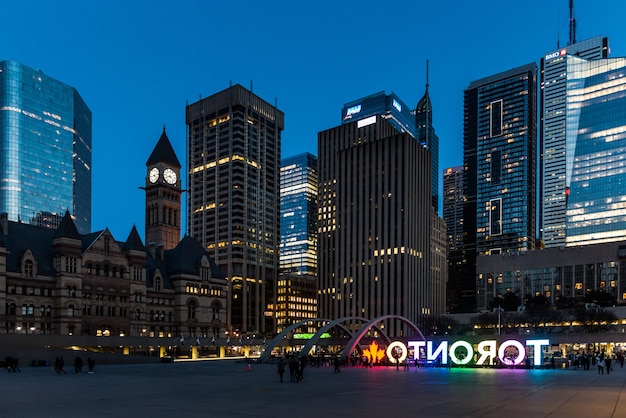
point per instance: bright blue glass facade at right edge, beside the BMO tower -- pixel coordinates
(596, 151)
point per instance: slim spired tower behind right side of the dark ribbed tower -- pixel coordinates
(425, 134)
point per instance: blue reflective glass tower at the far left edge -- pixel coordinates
(45, 149)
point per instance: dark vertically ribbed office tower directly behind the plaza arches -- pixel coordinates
(374, 224)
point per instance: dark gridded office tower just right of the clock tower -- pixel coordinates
(233, 190)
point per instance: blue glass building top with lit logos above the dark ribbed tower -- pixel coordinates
(389, 106)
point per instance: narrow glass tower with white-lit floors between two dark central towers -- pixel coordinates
(298, 215)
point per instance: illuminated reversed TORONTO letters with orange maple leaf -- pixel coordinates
(510, 352)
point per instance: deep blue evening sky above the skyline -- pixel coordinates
(137, 63)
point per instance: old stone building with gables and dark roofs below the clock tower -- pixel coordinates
(60, 282)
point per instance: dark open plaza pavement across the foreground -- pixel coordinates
(228, 389)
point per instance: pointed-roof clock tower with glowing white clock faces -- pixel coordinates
(163, 195)
